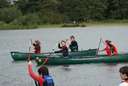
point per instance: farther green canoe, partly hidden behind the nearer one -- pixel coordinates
(19, 56)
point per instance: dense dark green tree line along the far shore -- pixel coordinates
(26, 12)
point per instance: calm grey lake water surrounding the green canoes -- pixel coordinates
(15, 74)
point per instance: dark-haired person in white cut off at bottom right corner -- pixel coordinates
(124, 75)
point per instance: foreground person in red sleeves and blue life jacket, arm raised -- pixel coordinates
(42, 78)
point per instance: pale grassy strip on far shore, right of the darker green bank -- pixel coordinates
(86, 24)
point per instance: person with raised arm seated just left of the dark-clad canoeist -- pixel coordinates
(63, 48)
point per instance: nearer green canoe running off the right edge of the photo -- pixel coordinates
(81, 60)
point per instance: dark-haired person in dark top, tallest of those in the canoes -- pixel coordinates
(74, 45)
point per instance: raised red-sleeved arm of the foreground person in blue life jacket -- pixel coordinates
(34, 75)
